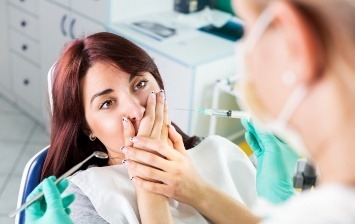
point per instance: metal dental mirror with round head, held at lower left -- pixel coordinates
(97, 154)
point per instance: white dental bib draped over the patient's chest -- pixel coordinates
(217, 160)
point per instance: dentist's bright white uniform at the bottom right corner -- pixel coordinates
(328, 204)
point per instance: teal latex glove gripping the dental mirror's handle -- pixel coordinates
(51, 208)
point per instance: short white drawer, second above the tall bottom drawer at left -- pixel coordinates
(24, 22)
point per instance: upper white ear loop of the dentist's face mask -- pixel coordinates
(260, 27)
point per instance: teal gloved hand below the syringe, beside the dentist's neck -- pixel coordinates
(276, 163)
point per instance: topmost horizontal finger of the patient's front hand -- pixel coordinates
(152, 145)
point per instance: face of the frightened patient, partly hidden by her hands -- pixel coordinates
(109, 94)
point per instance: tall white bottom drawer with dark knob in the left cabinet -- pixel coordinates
(26, 84)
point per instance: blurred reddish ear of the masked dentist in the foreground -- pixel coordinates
(303, 43)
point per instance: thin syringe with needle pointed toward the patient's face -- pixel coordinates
(220, 113)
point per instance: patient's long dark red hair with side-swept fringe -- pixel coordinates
(70, 143)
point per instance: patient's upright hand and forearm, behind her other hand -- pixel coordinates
(153, 208)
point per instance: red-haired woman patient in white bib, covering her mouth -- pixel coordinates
(105, 91)
